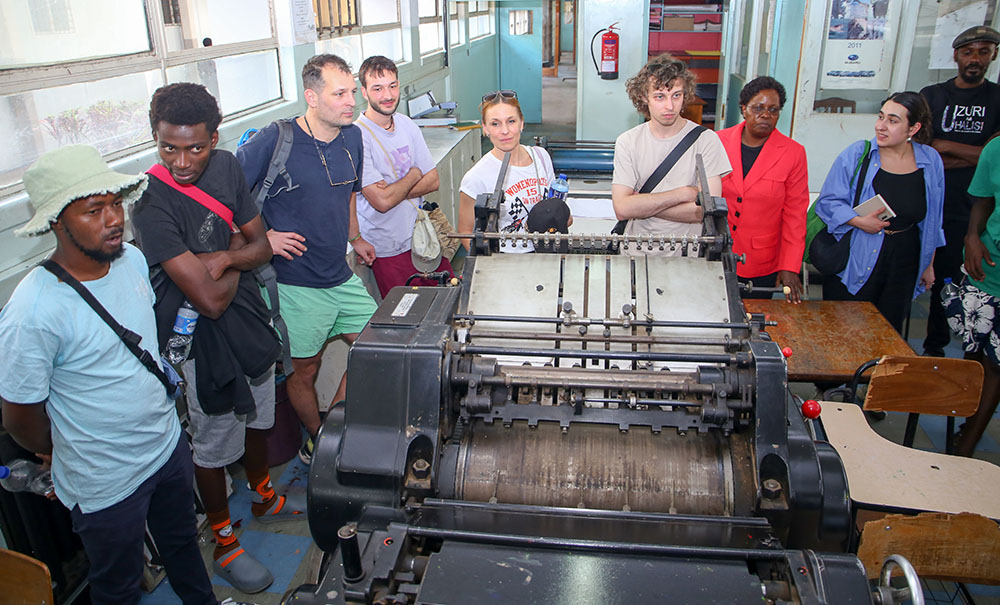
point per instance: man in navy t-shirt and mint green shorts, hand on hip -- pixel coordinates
(308, 203)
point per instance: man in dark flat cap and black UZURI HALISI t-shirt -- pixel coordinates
(966, 111)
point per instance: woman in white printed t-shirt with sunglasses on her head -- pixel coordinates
(528, 175)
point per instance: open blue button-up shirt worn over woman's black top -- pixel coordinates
(835, 205)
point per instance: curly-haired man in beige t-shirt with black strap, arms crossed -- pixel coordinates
(659, 92)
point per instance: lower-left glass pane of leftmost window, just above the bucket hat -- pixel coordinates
(110, 114)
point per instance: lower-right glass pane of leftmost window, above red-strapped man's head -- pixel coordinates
(226, 79)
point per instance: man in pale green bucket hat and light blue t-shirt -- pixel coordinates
(75, 391)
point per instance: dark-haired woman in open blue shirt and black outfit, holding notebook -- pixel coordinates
(891, 261)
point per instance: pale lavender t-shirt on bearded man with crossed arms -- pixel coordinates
(388, 157)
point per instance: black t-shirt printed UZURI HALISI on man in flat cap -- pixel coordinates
(963, 115)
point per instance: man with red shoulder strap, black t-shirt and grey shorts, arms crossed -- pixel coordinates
(203, 251)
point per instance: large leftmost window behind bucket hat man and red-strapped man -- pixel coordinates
(83, 71)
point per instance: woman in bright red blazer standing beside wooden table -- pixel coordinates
(767, 191)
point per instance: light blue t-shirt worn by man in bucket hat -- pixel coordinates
(113, 425)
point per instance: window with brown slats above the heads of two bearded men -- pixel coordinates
(354, 30)
